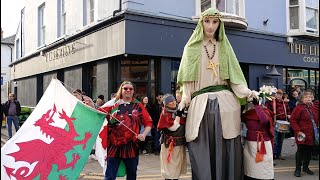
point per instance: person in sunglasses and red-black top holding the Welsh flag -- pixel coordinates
(122, 140)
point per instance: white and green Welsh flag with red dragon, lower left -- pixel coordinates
(55, 141)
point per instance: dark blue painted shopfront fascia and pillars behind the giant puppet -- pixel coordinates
(164, 37)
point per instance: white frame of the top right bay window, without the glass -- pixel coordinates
(302, 26)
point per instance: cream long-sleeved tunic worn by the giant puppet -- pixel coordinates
(228, 102)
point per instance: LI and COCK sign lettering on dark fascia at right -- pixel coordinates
(311, 53)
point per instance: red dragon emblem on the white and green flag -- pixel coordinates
(48, 154)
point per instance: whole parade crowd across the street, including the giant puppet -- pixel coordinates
(204, 117)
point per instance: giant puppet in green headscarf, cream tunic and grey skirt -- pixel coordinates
(213, 88)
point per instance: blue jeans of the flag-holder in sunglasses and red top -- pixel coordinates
(113, 165)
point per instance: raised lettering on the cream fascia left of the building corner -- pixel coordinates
(61, 52)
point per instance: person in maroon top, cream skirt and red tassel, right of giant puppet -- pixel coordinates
(258, 152)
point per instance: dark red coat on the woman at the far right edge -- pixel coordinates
(300, 121)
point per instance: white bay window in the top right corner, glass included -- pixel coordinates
(303, 17)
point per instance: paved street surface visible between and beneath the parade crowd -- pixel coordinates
(149, 165)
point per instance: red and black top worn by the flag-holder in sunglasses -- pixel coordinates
(117, 138)
